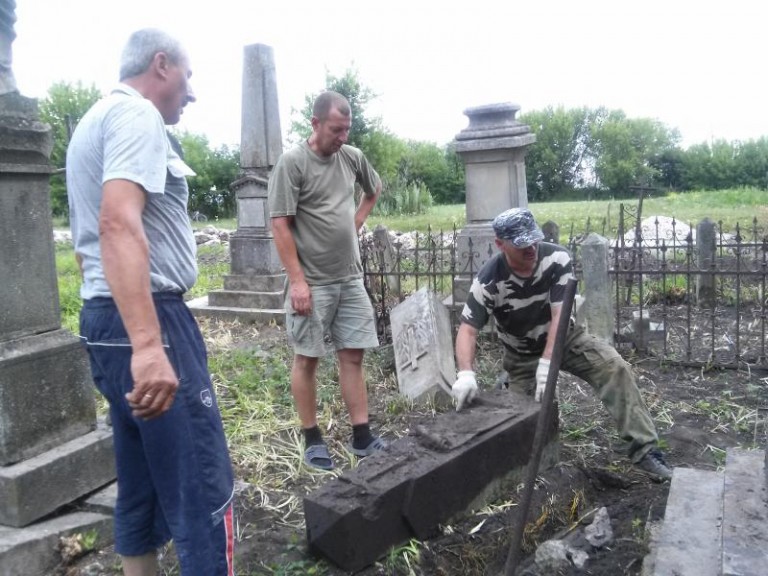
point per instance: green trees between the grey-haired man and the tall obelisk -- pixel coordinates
(210, 190)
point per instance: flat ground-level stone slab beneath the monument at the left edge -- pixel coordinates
(33, 550)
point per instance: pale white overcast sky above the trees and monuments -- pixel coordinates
(695, 66)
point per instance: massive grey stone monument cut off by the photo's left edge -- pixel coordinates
(51, 450)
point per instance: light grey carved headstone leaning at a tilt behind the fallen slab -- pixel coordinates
(422, 341)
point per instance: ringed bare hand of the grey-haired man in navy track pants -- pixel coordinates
(154, 383)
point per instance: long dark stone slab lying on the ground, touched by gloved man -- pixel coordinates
(444, 467)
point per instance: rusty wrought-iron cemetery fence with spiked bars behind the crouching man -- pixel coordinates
(694, 296)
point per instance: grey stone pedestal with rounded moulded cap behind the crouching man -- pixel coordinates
(493, 149)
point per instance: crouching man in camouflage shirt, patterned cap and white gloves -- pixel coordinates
(522, 287)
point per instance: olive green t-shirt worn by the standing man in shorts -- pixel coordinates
(319, 193)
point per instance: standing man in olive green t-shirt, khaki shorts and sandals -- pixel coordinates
(315, 225)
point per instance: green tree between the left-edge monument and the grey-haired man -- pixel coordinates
(62, 109)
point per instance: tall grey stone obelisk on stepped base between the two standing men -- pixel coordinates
(254, 288)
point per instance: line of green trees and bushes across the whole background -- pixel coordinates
(579, 153)
